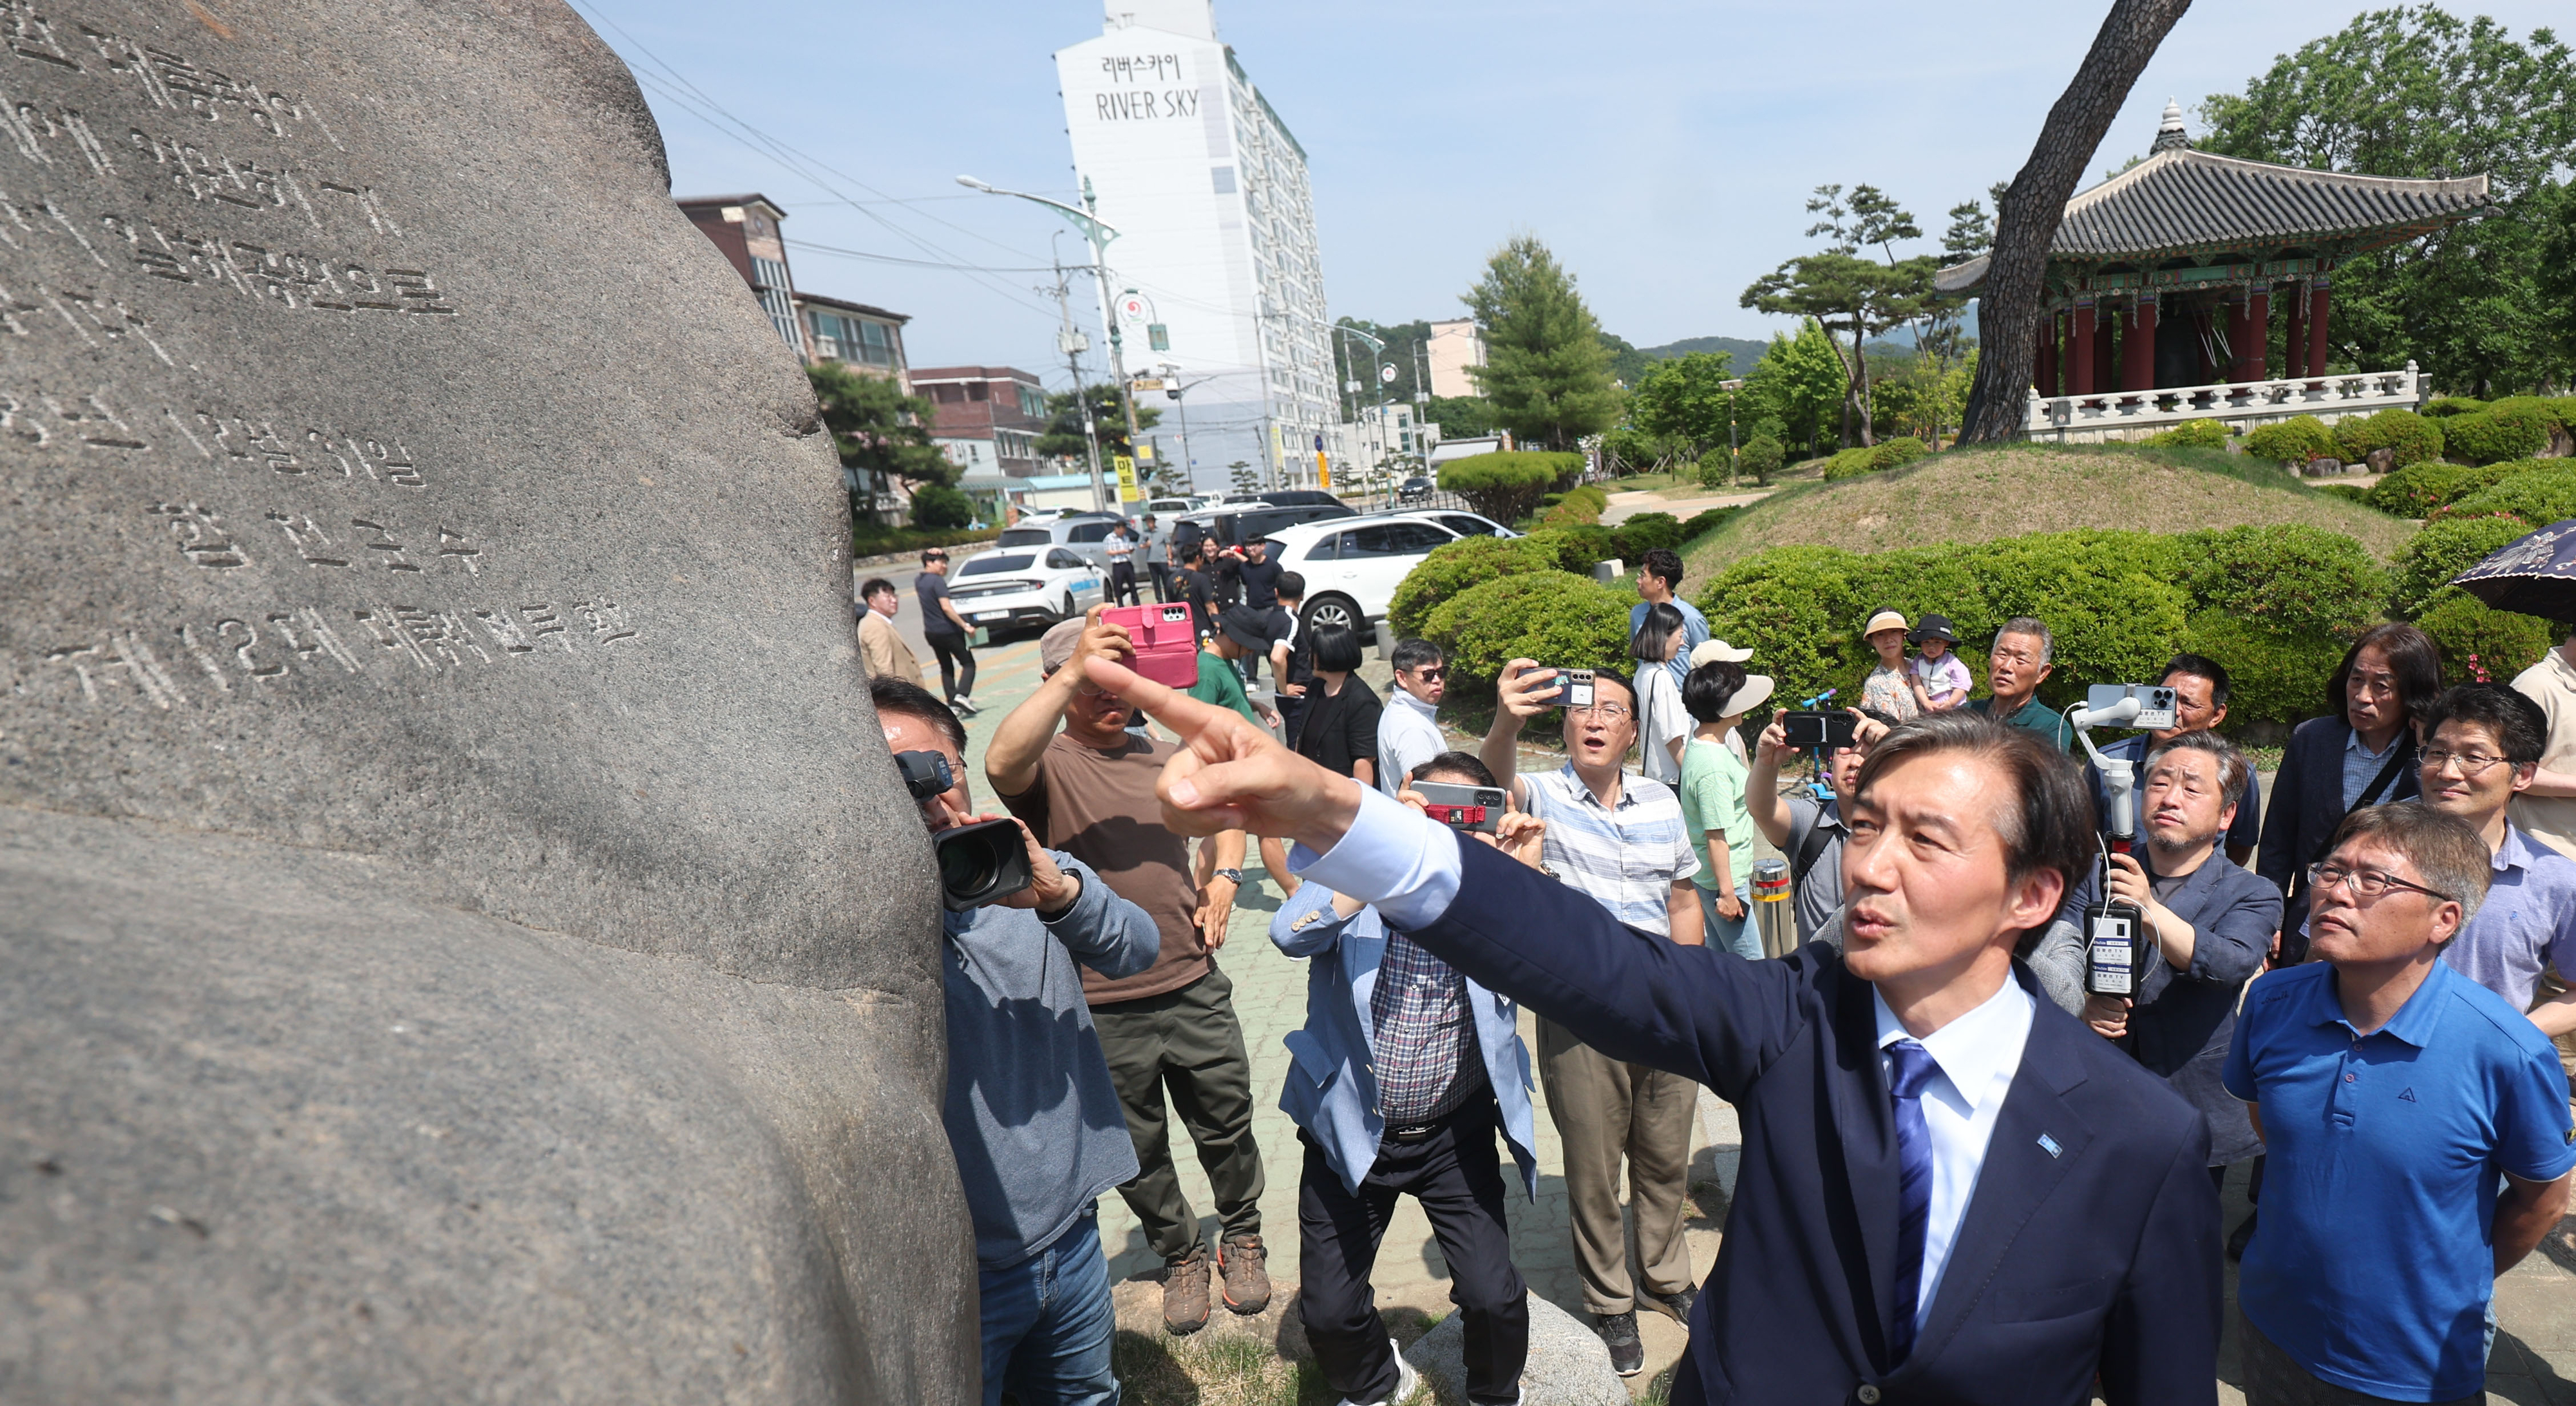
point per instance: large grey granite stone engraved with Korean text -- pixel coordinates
(460, 928)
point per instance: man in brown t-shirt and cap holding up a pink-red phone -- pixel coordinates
(1091, 792)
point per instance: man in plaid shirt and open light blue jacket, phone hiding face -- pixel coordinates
(1397, 1085)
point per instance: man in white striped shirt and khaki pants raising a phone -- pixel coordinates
(1622, 841)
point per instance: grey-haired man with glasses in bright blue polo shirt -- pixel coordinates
(2394, 1096)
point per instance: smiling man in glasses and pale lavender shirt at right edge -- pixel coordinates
(2487, 743)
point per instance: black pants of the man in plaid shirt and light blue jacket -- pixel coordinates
(1457, 1176)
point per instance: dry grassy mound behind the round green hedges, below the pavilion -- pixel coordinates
(2016, 491)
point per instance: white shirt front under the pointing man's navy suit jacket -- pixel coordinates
(1977, 1057)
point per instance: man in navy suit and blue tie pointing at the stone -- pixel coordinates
(1951, 1191)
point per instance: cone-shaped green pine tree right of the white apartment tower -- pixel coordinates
(1547, 372)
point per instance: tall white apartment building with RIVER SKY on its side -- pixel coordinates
(1207, 189)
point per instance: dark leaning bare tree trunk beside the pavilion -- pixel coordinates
(2008, 313)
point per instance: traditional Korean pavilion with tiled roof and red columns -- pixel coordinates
(2168, 279)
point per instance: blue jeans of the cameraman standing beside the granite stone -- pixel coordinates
(1050, 1322)
